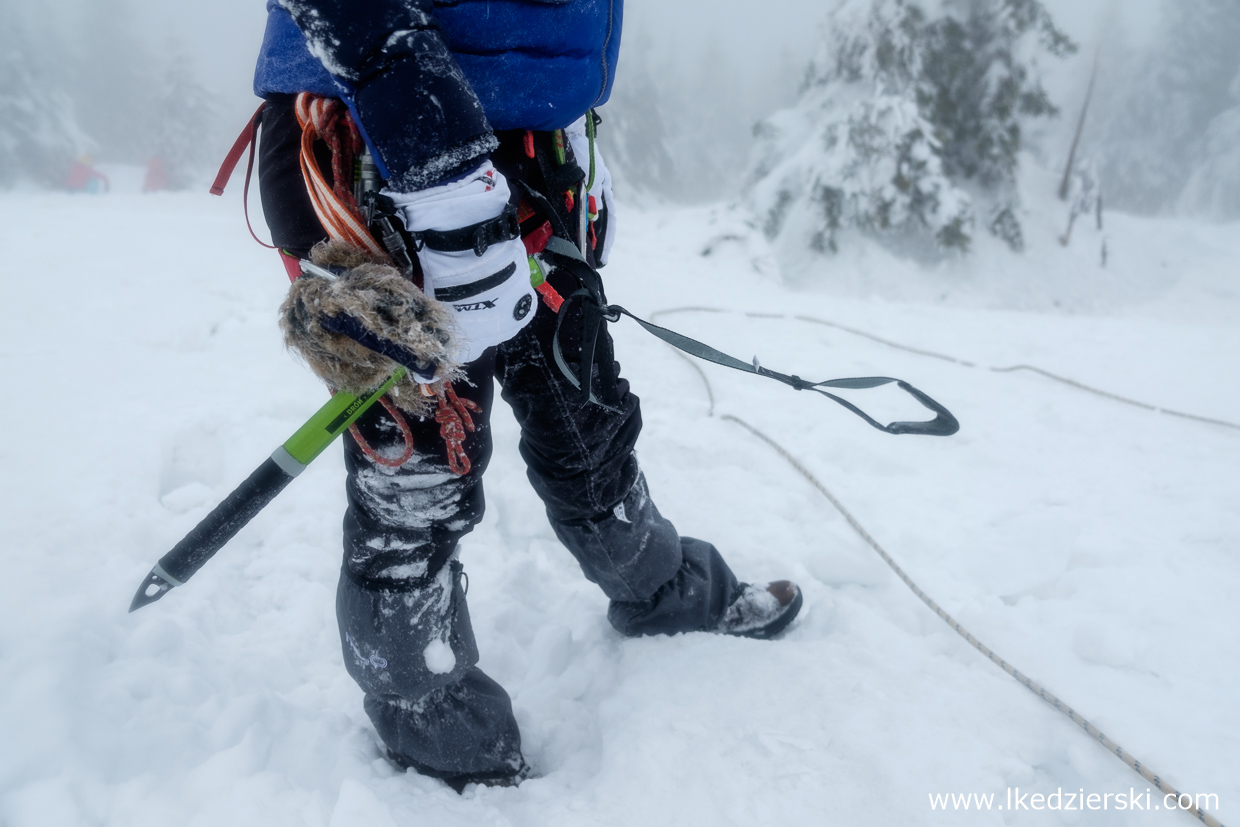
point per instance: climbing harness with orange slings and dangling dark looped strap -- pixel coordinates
(546, 241)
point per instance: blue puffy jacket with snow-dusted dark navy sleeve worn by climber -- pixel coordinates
(430, 80)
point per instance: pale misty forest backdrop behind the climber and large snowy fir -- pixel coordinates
(123, 81)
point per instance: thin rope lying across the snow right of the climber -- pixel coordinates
(1030, 684)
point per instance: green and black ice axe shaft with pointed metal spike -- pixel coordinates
(257, 492)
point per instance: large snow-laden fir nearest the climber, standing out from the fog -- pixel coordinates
(910, 126)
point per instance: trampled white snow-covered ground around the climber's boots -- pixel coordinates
(1092, 544)
